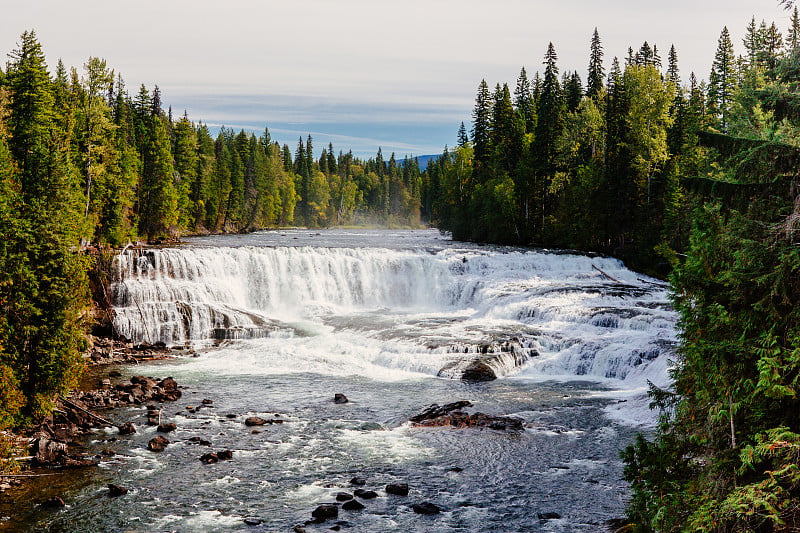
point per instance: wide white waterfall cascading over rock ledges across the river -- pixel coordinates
(434, 311)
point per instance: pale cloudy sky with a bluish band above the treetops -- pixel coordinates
(360, 73)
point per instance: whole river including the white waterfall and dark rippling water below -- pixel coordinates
(283, 320)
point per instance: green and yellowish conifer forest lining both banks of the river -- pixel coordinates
(693, 178)
